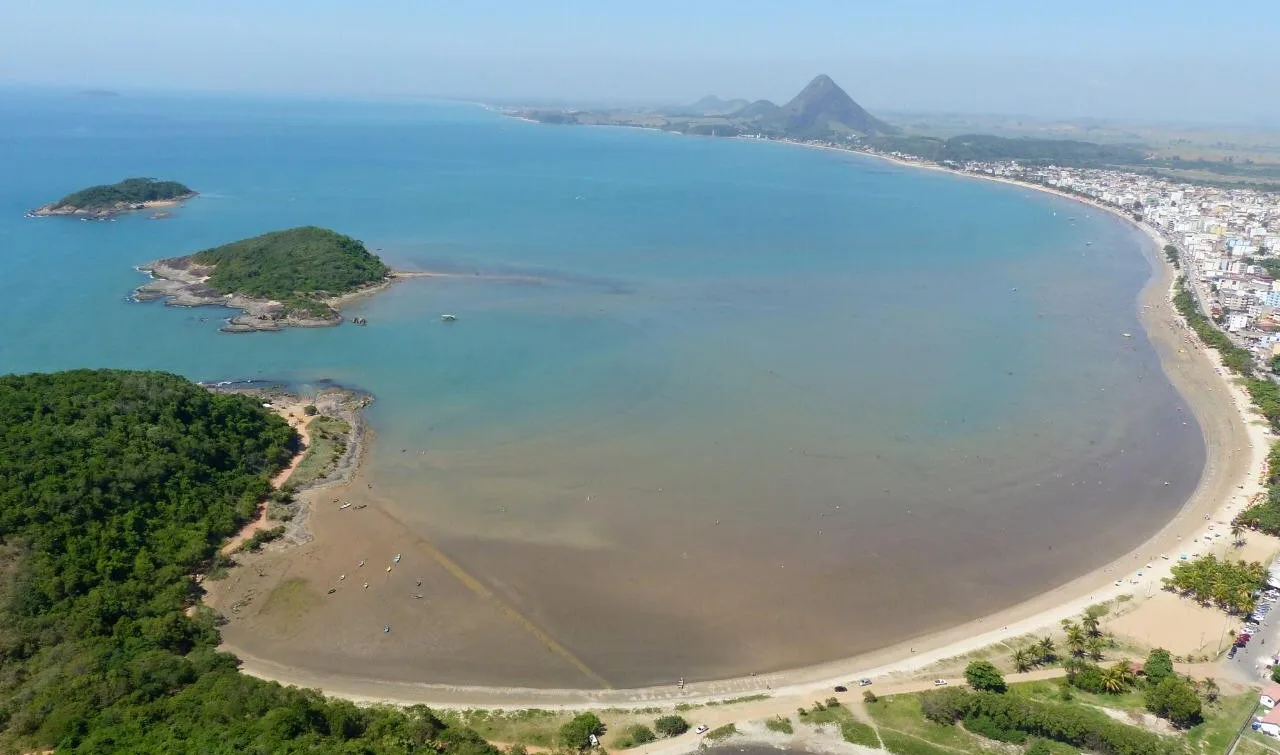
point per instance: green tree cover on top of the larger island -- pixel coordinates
(299, 268)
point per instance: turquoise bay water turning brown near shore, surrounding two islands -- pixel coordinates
(756, 406)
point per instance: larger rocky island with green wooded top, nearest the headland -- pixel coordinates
(287, 278)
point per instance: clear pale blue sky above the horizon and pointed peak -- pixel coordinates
(1149, 60)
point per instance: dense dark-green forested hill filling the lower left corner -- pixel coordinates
(116, 487)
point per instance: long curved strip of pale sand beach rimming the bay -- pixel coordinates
(1236, 443)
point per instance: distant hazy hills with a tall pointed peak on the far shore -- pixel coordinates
(821, 111)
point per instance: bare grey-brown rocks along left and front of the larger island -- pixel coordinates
(182, 283)
